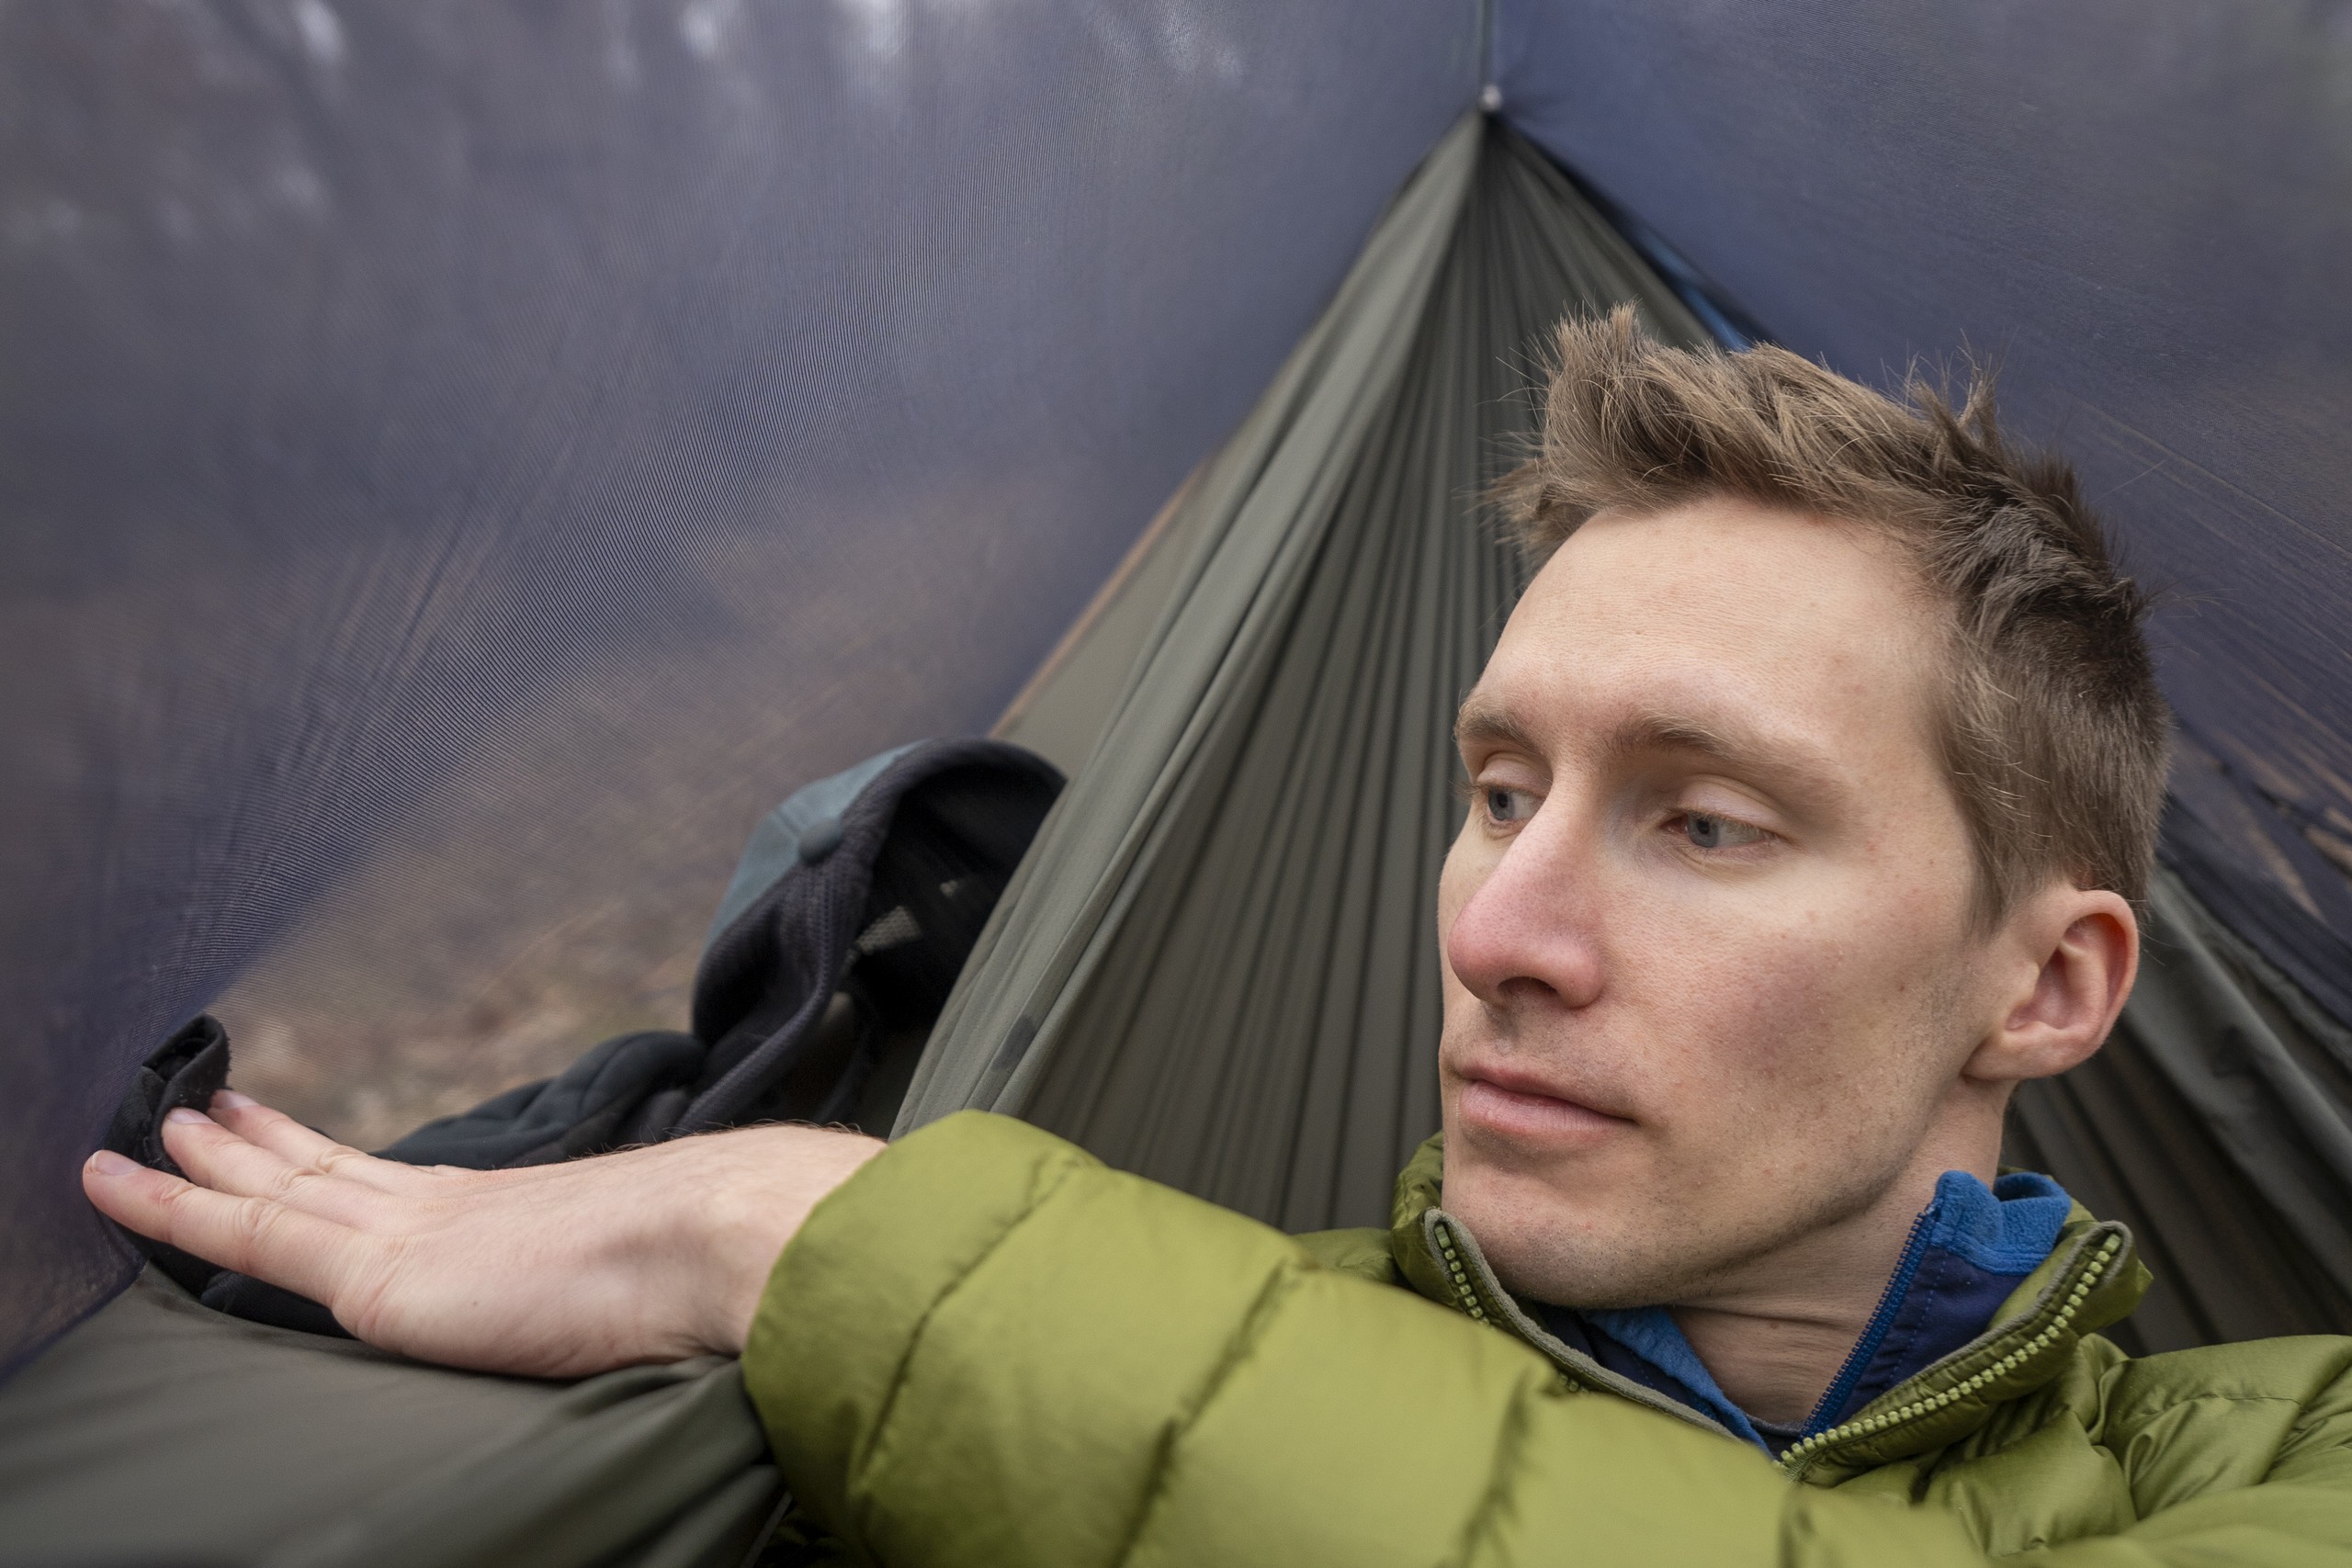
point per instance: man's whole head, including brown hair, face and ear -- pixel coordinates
(1812, 789)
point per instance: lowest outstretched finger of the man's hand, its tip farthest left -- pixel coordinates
(250, 1235)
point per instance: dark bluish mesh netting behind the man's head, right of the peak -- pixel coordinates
(2139, 213)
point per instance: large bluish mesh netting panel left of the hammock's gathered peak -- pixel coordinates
(465, 462)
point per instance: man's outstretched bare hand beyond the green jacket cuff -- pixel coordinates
(552, 1271)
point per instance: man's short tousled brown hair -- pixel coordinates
(2054, 732)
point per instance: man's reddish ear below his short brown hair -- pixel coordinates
(2076, 953)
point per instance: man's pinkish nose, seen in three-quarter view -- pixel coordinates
(1530, 932)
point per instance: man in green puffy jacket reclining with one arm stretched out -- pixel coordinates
(1812, 786)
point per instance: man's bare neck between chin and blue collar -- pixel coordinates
(1779, 1336)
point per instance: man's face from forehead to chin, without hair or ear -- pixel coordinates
(1709, 949)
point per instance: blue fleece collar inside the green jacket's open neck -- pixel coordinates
(1965, 1254)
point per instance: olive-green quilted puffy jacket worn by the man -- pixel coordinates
(989, 1348)
